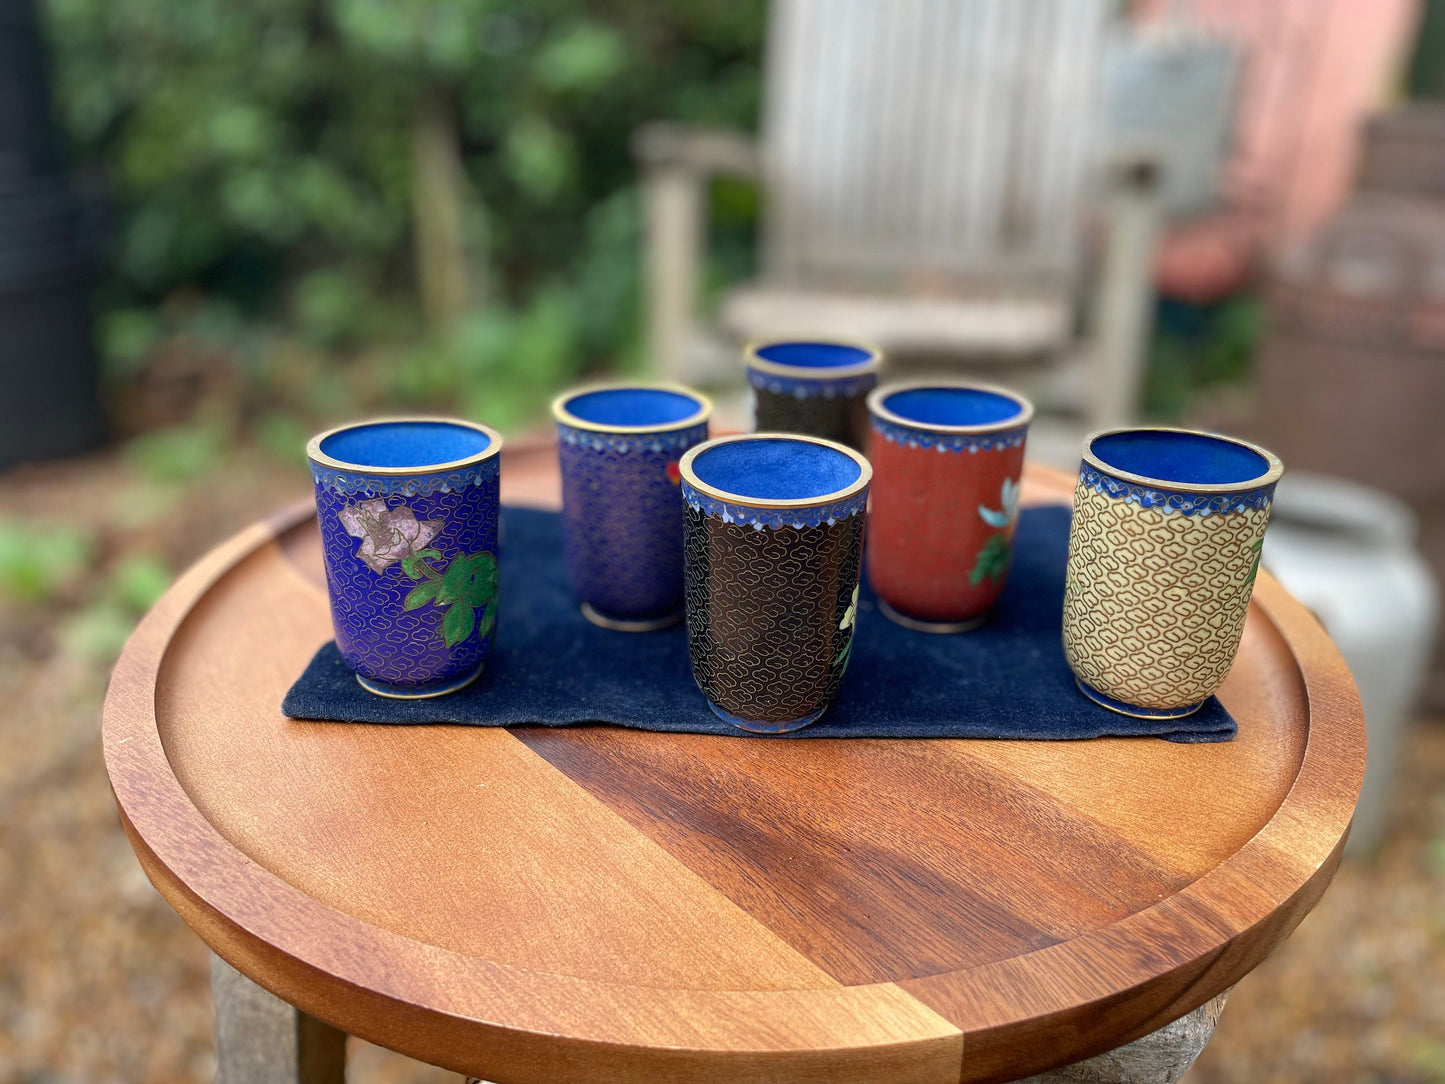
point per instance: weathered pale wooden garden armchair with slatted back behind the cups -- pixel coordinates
(927, 167)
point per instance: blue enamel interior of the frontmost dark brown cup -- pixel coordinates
(777, 469)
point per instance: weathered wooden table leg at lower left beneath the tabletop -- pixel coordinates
(261, 1040)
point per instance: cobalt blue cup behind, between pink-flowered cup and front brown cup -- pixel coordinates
(622, 505)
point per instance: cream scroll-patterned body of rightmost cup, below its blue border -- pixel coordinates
(1155, 603)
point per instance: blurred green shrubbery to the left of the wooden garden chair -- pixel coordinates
(277, 158)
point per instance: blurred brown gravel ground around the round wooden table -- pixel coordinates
(100, 982)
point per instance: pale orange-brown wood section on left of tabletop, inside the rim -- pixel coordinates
(402, 833)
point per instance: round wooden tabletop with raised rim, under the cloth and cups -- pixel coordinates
(599, 904)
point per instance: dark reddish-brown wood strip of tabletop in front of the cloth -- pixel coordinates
(881, 861)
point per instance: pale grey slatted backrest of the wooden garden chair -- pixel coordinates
(930, 135)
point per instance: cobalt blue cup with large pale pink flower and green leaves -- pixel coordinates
(408, 511)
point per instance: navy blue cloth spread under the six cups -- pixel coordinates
(550, 667)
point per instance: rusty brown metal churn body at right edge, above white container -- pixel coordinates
(1352, 377)
